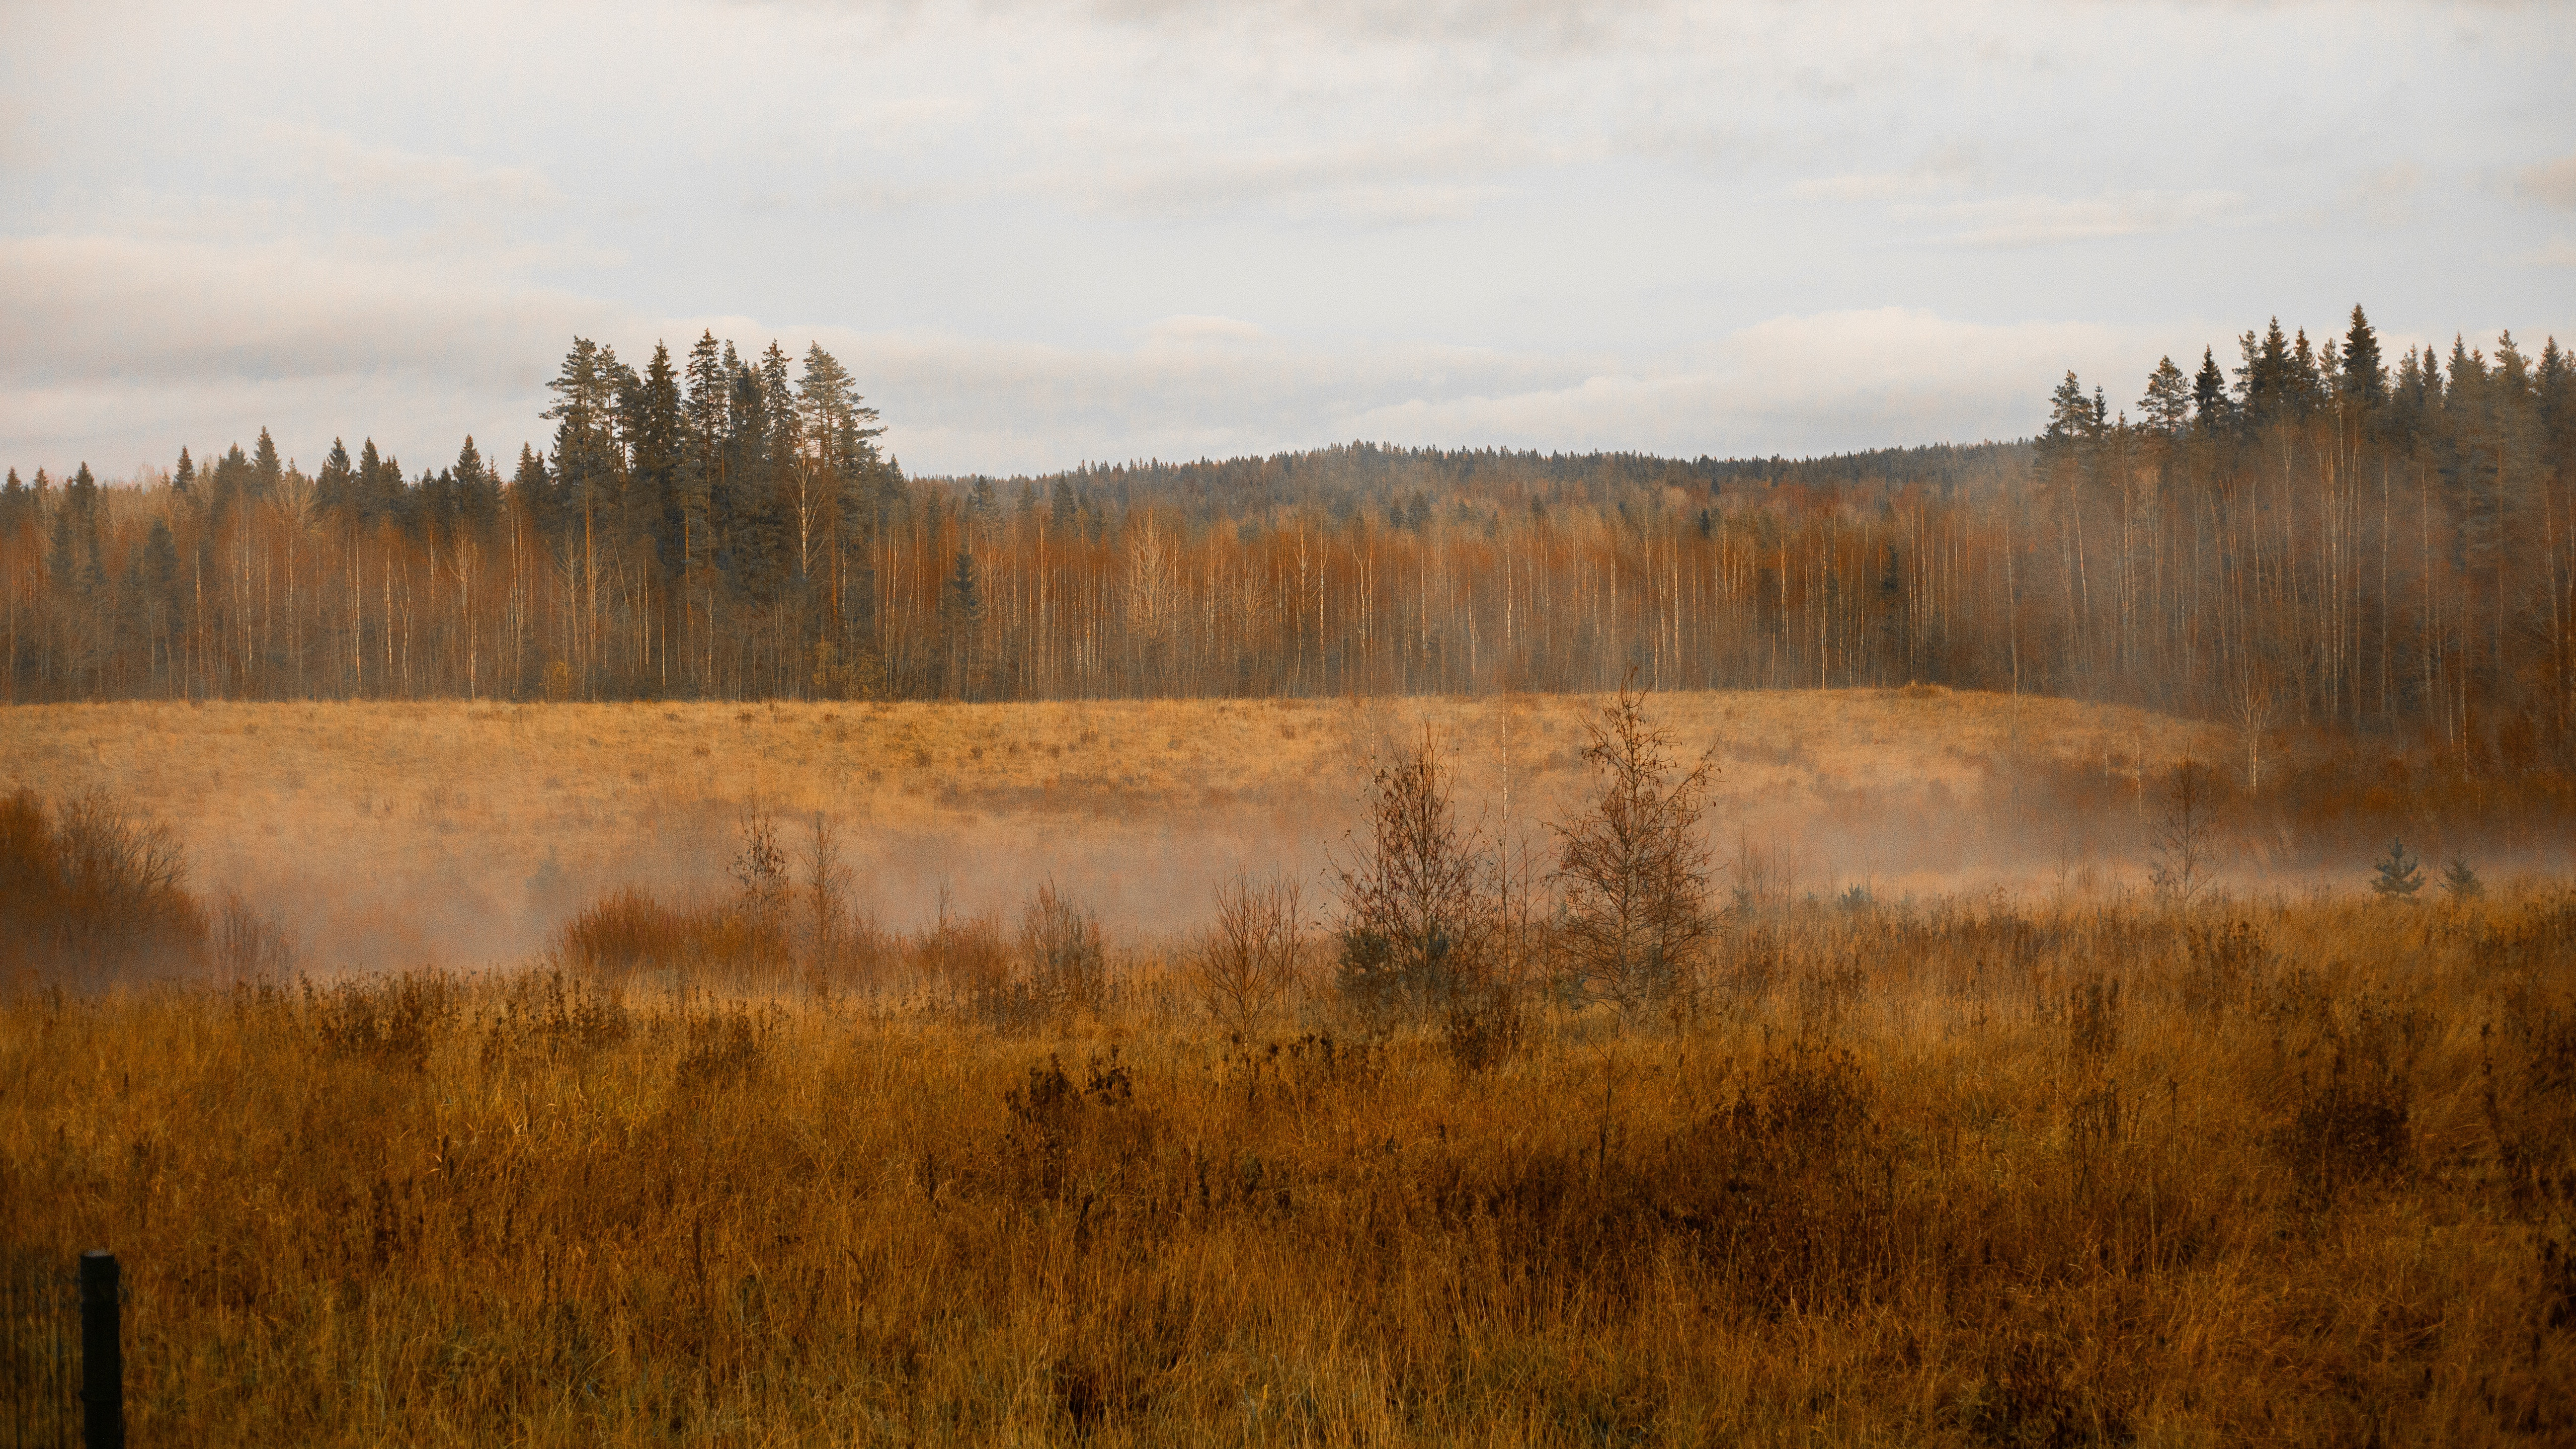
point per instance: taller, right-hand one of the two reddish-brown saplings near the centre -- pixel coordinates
(1634, 870)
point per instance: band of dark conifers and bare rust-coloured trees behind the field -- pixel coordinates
(2307, 535)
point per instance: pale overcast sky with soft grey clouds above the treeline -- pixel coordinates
(1171, 228)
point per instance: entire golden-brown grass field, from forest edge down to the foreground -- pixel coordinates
(1915, 1164)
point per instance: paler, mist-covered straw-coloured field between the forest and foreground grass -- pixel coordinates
(398, 834)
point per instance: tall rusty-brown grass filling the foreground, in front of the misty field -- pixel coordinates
(1959, 1174)
